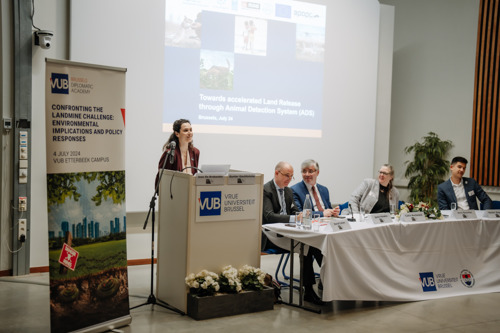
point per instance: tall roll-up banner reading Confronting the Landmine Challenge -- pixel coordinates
(85, 137)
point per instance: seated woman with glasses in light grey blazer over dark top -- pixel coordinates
(376, 195)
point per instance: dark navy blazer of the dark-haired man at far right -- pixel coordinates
(446, 194)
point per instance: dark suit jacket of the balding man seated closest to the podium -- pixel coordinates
(271, 209)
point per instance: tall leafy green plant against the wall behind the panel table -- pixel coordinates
(428, 168)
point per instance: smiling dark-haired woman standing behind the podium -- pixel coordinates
(179, 153)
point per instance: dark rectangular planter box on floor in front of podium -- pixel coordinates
(222, 305)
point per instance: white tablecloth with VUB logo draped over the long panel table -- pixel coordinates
(403, 261)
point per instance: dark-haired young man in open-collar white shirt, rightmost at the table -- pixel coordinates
(462, 190)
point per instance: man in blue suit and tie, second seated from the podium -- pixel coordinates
(320, 197)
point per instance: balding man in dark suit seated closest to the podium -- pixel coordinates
(278, 206)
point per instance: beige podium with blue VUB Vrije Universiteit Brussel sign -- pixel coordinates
(205, 222)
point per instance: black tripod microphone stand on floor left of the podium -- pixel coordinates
(152, 298)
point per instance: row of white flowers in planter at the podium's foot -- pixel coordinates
(231, 280)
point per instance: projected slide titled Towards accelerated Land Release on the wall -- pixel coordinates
(245, 67)
